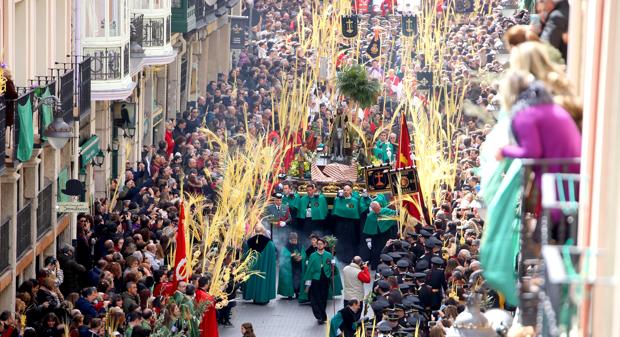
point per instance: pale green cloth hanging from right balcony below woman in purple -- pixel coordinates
(500, 239)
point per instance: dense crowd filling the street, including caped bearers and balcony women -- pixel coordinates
(117, 279)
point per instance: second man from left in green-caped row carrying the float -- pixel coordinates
(312, 210)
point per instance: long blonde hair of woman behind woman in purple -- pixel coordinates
(531, 57)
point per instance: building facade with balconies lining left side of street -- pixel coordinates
(120, 69)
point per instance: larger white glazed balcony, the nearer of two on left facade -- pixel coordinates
(105, 38)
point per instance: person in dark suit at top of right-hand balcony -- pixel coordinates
(556, 25)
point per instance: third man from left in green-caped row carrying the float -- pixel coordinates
(346, 214)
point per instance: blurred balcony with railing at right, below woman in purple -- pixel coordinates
(548, 252)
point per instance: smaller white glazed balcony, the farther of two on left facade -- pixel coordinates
(150, 32)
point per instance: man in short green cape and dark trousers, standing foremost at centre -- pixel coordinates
(318, 275)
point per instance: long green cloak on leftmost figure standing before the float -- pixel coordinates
(262, 288)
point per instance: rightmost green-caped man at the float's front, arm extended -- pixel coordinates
(378, 229)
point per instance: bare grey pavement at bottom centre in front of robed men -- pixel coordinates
(279, 318)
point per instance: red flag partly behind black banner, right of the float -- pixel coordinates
(404, 160)
